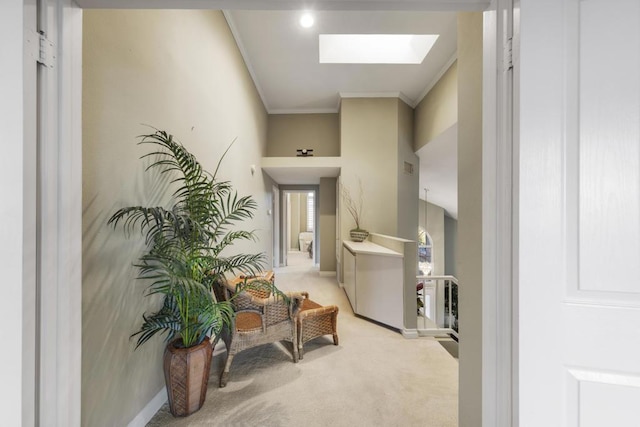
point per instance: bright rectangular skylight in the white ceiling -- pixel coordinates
(375, 48)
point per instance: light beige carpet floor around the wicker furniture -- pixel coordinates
(375, 377)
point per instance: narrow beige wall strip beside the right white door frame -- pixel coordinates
(469, 265)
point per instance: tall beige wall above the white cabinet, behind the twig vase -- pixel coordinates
(369, 146)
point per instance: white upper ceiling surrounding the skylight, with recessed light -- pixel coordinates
(283, 57)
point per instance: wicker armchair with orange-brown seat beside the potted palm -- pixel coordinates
(260, 319)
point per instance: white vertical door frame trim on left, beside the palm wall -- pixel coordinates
(60, 176)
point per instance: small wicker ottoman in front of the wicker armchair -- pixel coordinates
(315, 320)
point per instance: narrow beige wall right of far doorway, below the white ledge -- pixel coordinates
(327, 223)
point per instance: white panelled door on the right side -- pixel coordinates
(579, 213)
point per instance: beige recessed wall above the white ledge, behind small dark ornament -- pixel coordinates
(288, 132)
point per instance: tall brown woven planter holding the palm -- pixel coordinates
(186, 373)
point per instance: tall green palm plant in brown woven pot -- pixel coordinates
(183, 262)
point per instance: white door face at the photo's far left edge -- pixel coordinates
(14, 252)
